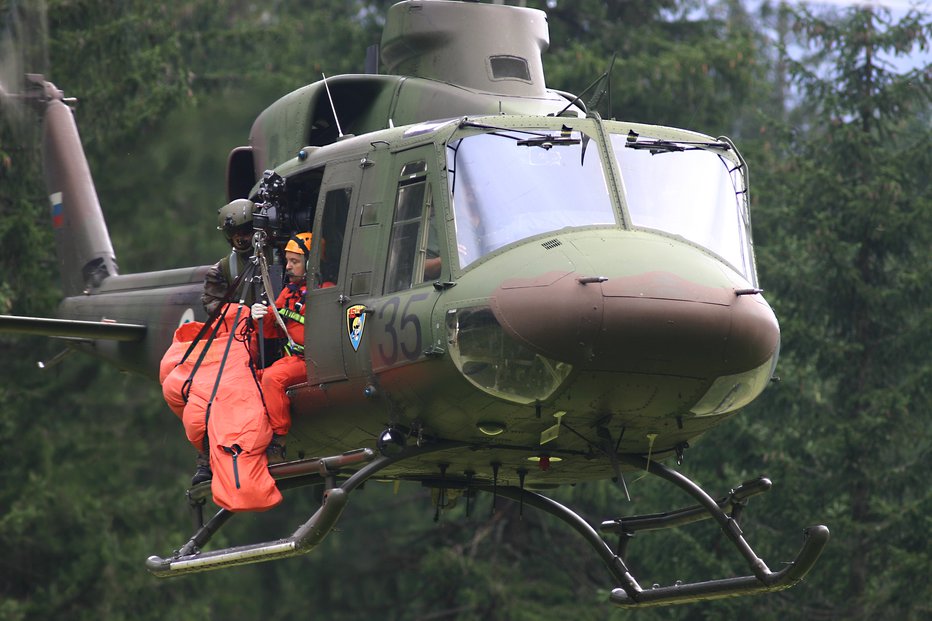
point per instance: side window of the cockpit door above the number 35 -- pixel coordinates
(414, 255)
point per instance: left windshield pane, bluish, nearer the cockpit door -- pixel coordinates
(508, 185)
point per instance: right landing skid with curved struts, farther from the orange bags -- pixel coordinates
(725, 511)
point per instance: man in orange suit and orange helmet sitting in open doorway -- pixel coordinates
(290, 368)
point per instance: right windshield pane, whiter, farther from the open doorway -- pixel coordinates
(689, 189)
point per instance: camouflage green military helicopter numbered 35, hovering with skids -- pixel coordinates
(524, 295)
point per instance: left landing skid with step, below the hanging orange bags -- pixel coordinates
(190, 559)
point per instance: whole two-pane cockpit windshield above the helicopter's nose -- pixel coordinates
(512, 184)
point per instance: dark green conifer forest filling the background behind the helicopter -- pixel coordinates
(832, 112)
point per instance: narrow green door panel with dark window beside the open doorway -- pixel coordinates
(327, 278)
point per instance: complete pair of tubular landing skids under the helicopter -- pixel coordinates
(629, 594)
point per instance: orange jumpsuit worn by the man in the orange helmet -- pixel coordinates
(290, 369)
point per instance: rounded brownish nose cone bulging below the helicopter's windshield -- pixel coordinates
(657, 323)
